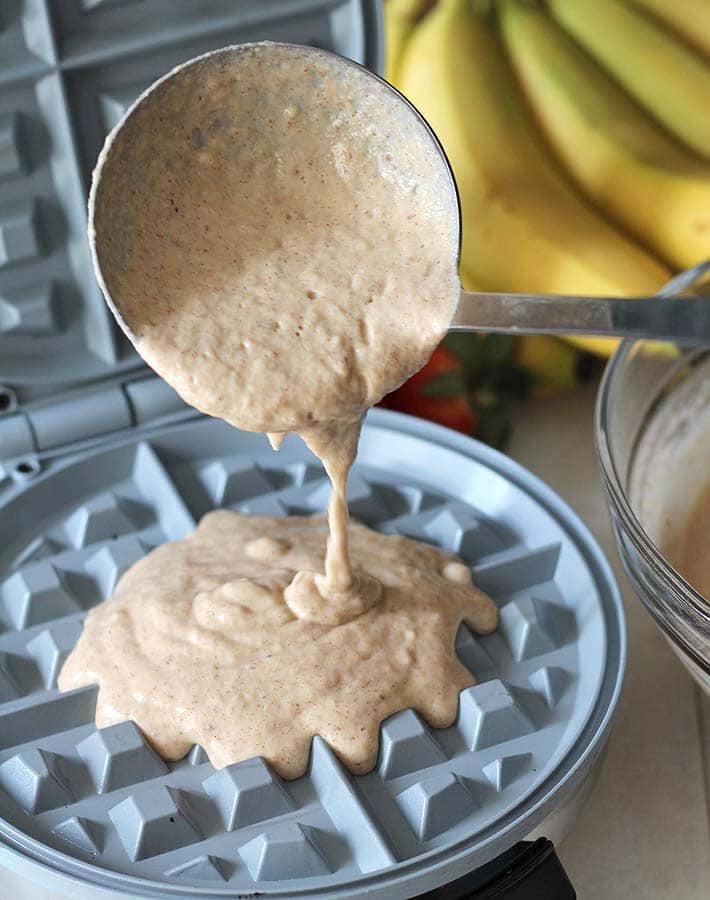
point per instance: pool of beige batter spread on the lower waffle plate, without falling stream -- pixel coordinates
(198, 645)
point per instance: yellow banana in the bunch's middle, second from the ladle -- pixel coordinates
(620, 157)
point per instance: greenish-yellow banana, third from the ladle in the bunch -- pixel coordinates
(666, 77)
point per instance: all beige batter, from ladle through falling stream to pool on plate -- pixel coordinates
(280, 235)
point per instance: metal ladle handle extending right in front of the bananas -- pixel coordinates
(685, 320)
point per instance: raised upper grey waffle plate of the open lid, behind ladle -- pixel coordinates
(70, 68)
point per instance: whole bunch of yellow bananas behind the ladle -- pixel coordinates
(578, 132)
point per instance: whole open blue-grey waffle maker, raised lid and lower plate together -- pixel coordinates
(100, 461)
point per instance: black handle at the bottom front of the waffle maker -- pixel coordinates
(530, 870)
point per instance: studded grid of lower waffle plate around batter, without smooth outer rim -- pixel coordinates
(105, 796)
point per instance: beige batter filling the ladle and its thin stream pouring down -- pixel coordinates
(280, 234)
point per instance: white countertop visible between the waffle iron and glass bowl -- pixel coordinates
(645, 831)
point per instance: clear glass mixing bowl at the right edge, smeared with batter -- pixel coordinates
(643, 381)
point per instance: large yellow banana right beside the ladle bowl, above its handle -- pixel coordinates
(524, 227)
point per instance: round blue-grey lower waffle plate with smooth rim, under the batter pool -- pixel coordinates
(101, 806)
